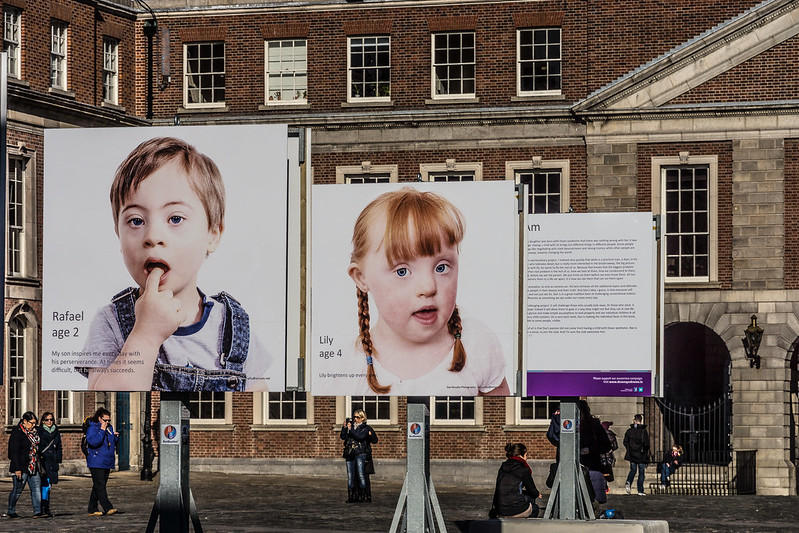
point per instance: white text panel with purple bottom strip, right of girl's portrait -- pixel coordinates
(590, 304)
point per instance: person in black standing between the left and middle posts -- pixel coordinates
(358, 437)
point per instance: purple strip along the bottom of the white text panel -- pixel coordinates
(589, 383)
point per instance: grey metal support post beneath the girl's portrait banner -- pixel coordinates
(418, 506)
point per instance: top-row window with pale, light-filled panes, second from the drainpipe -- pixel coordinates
(286, 72)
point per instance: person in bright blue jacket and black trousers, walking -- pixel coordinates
(102, 441)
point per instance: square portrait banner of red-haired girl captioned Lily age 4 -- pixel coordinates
(413, 289)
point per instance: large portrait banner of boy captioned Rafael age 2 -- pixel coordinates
(176, 279)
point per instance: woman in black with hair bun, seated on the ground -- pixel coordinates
(515, 491)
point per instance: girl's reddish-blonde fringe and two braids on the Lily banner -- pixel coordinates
(416, 223)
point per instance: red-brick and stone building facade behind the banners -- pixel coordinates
(605, 98)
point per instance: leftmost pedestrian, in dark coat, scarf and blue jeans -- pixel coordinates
(23, 446)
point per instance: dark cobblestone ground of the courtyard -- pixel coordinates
(235, 503)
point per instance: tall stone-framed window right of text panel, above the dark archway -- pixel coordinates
(686, 196)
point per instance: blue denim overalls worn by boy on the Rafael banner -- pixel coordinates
(235, 345)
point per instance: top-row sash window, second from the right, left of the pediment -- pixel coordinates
(453, 65)
